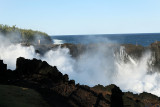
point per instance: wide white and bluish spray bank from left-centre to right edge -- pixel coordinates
(101, 66)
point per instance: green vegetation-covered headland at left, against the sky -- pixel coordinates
(24, 35)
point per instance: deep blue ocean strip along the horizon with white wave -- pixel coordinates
(143, 39)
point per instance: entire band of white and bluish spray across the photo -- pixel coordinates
(98, 65)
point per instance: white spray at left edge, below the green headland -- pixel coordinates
(11, 52)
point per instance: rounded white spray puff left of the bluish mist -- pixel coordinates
(61, 58)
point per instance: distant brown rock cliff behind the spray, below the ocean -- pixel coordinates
(77, 49)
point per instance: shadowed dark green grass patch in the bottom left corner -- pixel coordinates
(13, 96)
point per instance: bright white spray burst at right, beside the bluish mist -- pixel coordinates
(134, 75)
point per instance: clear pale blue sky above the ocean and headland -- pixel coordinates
(73, 17)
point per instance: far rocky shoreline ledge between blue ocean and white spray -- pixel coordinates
(135, 51)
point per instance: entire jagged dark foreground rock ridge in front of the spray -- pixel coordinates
(58, 91)
